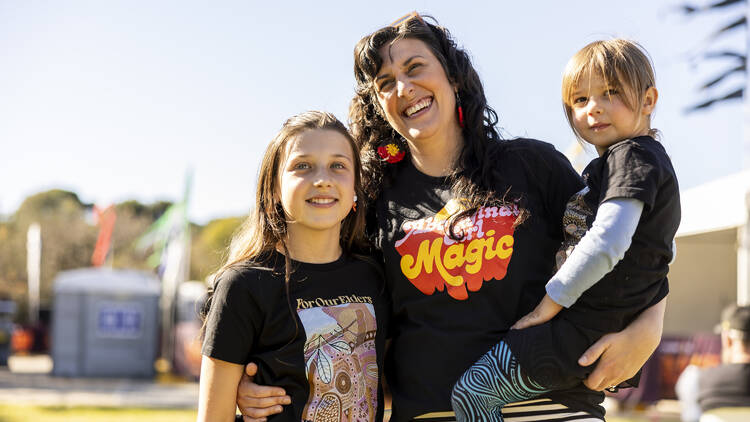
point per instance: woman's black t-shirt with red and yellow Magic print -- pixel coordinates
(452, 301)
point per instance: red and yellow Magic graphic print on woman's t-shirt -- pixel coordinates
(431, 260)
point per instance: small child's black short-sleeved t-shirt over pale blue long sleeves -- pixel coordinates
(637, 168)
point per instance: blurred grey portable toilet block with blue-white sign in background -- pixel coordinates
(105, 323)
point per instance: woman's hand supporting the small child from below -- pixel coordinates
(622, 354)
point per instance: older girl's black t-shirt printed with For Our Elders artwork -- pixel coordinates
(327, 353)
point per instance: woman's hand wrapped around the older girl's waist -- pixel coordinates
(256, 402)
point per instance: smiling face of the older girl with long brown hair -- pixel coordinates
(316, 181)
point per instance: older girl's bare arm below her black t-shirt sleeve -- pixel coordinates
(218, 390)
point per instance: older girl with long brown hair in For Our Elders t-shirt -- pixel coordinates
(292, 298)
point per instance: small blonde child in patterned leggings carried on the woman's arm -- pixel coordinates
(623, 223)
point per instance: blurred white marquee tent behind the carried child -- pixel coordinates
(712, 267)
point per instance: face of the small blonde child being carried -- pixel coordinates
(602, 118)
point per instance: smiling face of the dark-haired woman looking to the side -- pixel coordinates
(414, 92)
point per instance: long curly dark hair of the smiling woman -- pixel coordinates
(474, 177)
